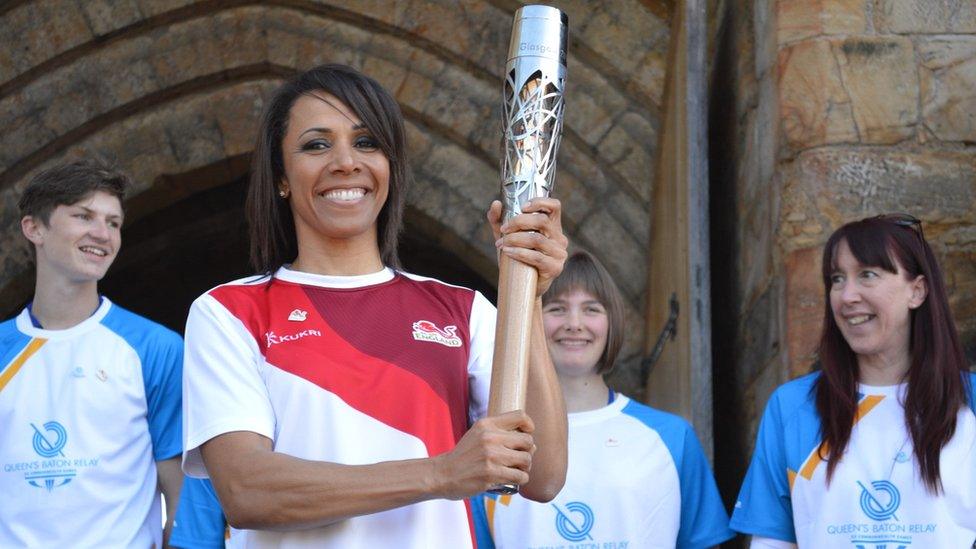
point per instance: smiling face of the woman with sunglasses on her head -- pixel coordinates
(872, 307)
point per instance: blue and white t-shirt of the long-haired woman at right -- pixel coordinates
(876, 497)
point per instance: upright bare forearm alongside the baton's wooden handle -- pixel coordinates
(548, 411)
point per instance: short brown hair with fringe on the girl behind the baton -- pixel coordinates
(584, 272)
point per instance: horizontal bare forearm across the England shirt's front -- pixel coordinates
(273, 491)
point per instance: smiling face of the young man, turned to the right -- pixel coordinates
(80, 241)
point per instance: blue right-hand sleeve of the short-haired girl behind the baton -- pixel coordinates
(704, 522)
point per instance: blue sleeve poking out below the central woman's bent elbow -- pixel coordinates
(199, 521)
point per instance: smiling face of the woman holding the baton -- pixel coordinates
(336, 175)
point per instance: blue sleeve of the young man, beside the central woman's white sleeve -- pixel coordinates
(162, 371)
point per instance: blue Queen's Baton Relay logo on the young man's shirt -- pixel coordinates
(57, 467)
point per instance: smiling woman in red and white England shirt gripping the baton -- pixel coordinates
(331, 399)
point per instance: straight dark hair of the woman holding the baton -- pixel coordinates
(270, 220)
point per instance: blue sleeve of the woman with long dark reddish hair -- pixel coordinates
(764, 507)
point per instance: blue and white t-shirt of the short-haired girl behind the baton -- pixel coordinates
(637, 477)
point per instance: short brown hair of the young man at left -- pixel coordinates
(67, 183)
